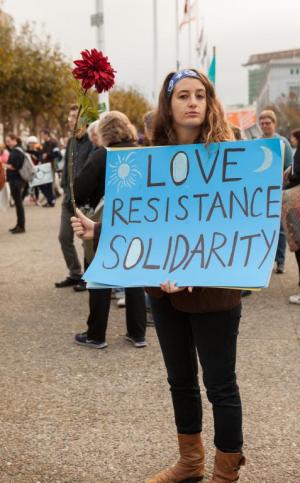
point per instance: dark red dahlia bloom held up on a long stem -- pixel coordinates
(94, 70)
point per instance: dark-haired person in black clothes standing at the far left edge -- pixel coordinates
(16, 183)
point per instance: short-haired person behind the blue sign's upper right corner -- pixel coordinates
(267, 122)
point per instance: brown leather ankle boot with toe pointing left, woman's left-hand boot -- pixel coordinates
(190, 466)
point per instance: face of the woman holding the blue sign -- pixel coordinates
(188, 103)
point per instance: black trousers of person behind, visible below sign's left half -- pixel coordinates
(99, 301)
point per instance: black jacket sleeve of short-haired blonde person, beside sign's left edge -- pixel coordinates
(91, 178)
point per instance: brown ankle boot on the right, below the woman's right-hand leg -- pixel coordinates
(227, 466)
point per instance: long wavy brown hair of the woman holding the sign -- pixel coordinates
(215, 128)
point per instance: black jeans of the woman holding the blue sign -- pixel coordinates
(213, 336)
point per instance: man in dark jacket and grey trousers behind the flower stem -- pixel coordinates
(83, 147)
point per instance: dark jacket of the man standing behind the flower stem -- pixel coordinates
(83, 148)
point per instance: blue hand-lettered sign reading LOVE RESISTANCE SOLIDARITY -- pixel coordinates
(192, 214)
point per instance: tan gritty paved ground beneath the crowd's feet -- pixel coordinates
(74, 415)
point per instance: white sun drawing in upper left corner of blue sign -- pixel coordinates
(124, 172)
